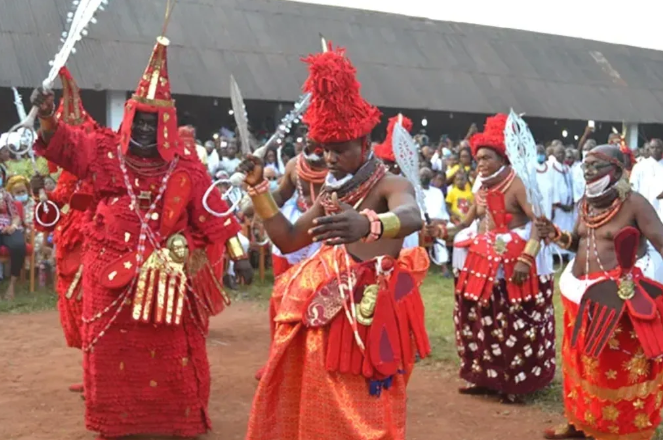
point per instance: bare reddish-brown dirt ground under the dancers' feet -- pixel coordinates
(36, 368)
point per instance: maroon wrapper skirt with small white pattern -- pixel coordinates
(509, 348)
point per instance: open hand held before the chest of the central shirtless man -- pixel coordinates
(348, 226)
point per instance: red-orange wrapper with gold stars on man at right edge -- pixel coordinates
(617, 396)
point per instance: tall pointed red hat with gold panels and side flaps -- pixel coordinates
(153, 96)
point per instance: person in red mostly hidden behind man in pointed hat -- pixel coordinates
(73, 197)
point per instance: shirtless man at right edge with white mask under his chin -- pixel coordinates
(613, 328)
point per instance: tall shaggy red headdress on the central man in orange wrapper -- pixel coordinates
(337, 112)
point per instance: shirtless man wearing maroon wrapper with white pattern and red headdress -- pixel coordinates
(504, 317)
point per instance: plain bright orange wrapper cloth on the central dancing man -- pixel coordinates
(299, 395)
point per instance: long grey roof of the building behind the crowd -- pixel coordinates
(403, 62)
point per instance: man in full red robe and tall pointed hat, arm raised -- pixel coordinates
(148, 284)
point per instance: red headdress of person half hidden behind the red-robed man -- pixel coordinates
(71, 110)
